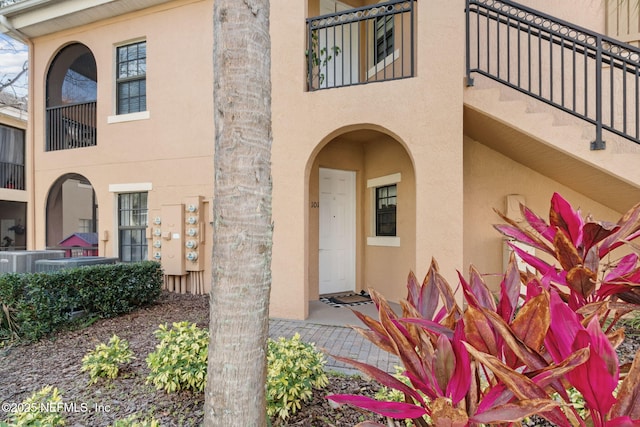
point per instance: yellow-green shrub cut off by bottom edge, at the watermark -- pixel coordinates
(43, 408)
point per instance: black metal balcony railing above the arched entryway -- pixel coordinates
(359, 46)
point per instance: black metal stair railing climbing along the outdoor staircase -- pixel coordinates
(581, 72)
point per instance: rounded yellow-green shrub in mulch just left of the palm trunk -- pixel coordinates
(180, 360)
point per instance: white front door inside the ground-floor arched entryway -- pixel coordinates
(337, 254)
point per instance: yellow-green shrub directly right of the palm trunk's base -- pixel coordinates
(294, 369)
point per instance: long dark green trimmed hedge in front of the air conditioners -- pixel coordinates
(41, 303)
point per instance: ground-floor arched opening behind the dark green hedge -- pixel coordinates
(72, 215)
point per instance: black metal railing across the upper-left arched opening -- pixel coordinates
(71, 126)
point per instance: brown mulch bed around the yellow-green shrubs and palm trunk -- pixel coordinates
(56, 361)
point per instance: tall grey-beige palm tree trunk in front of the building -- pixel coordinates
(242, 228)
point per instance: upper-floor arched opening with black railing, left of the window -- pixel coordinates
(72, 83)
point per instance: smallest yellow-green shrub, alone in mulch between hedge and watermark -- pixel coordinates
(106, 359)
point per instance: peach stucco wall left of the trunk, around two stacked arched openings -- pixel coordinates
(172, 149)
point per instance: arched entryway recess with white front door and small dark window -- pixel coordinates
(362, 215)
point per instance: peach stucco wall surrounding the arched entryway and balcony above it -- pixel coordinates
(426, 117)
